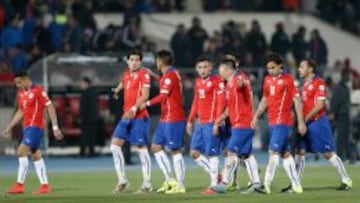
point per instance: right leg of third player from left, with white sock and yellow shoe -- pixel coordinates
(174, 133)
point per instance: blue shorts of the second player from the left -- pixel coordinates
(135, 131)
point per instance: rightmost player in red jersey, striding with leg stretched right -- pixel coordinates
(318, 138)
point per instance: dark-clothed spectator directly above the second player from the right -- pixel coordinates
(280, 42)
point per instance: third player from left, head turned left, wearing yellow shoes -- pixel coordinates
(170, 130)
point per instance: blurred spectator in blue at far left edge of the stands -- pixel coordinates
(12, 34)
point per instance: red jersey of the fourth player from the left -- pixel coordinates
(205, 99)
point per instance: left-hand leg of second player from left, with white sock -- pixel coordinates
(120, 135)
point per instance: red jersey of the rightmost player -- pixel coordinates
(311, 93)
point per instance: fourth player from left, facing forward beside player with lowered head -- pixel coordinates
(204, 142)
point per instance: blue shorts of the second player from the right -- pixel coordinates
(280, 138)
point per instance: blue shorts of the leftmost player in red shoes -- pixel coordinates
(32, 137)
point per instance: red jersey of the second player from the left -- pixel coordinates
(133, 84)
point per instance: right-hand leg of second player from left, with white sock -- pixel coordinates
(139, 137)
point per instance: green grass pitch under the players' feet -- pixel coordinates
(319, 184)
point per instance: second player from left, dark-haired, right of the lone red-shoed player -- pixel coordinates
(134, 124)
